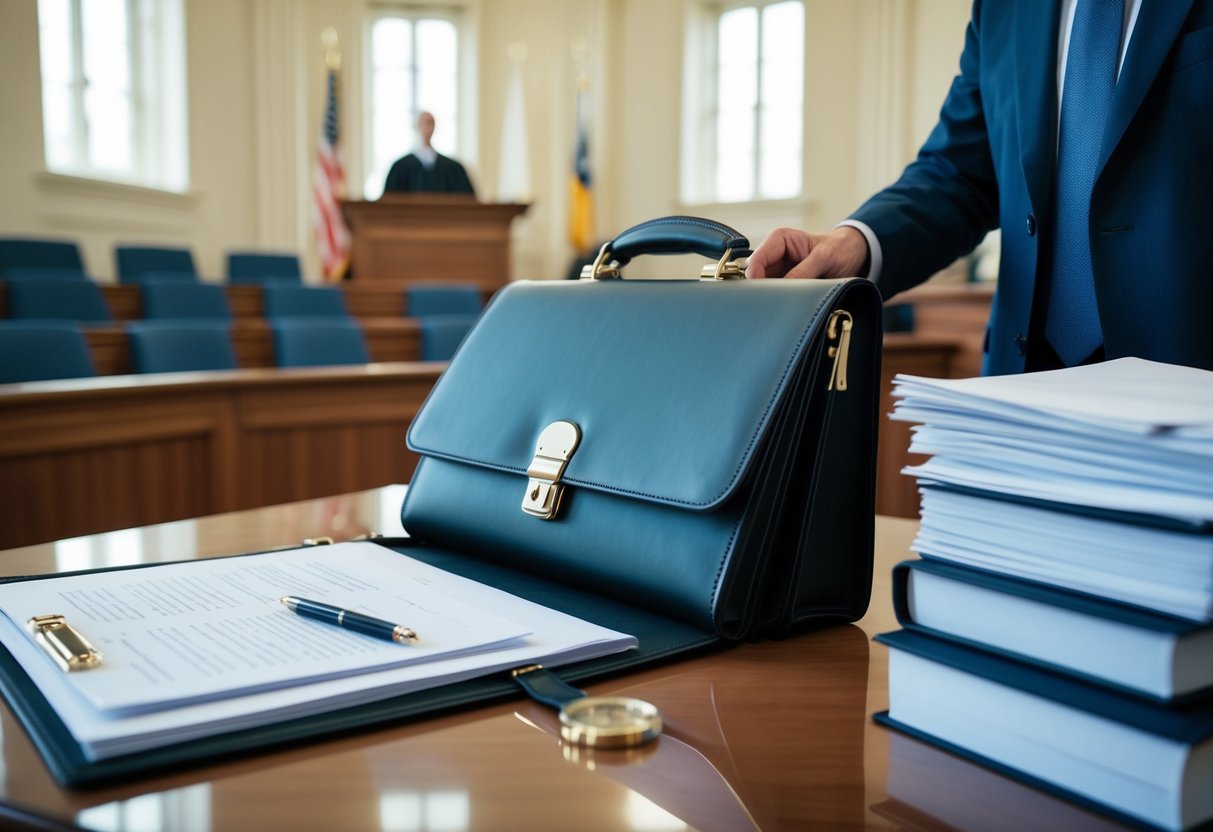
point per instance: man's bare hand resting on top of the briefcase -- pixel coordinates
(788, 253)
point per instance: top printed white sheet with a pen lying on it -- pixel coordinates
(203, 630)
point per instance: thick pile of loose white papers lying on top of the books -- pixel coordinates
(1125, 447)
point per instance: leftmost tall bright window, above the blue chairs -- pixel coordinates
(115, 90)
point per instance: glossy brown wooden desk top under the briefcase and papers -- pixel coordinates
(773, 736)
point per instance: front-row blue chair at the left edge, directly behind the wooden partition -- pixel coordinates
(43, 350)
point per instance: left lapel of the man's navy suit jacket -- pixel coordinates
(1037, 94)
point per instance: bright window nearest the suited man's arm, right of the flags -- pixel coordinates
(748, 136)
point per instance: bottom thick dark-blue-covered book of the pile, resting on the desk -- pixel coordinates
(1138, 761)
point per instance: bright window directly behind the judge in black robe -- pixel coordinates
(414, 69)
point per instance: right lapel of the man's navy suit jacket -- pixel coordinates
(1154, 35)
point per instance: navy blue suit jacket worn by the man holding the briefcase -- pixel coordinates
(989, 163)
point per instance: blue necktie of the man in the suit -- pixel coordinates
(1072, 323)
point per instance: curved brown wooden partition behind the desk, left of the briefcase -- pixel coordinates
(90, 455)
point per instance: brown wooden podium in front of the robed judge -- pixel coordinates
(431, 238)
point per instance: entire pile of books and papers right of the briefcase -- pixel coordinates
(1060, 625)
